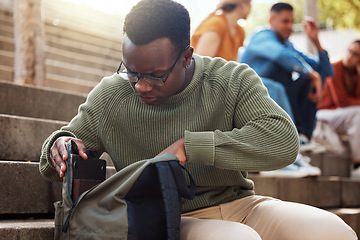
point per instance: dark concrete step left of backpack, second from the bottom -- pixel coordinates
(29, 192)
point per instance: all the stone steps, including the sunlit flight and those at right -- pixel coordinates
(29, 114)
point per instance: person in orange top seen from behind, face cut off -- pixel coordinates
(220, 35)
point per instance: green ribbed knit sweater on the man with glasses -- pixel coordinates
(230, 124)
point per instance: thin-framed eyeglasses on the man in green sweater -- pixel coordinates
(155, 81)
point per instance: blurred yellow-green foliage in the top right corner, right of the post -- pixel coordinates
(340, 13)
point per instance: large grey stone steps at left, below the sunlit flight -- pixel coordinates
(26, 209)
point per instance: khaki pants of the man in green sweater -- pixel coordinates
(258, 217)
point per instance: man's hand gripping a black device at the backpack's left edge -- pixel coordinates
(58, 153)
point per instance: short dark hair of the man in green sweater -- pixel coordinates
(153, 19)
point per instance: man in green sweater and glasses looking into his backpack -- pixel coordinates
(214, 115)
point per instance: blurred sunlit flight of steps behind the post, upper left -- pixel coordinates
(79, 51)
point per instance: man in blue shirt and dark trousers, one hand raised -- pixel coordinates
(274, 58)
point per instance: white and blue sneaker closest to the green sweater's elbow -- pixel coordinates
(300, 168)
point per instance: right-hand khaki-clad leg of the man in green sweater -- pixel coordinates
(281, 220)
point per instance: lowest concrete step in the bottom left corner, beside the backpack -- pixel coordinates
(39, 229)
